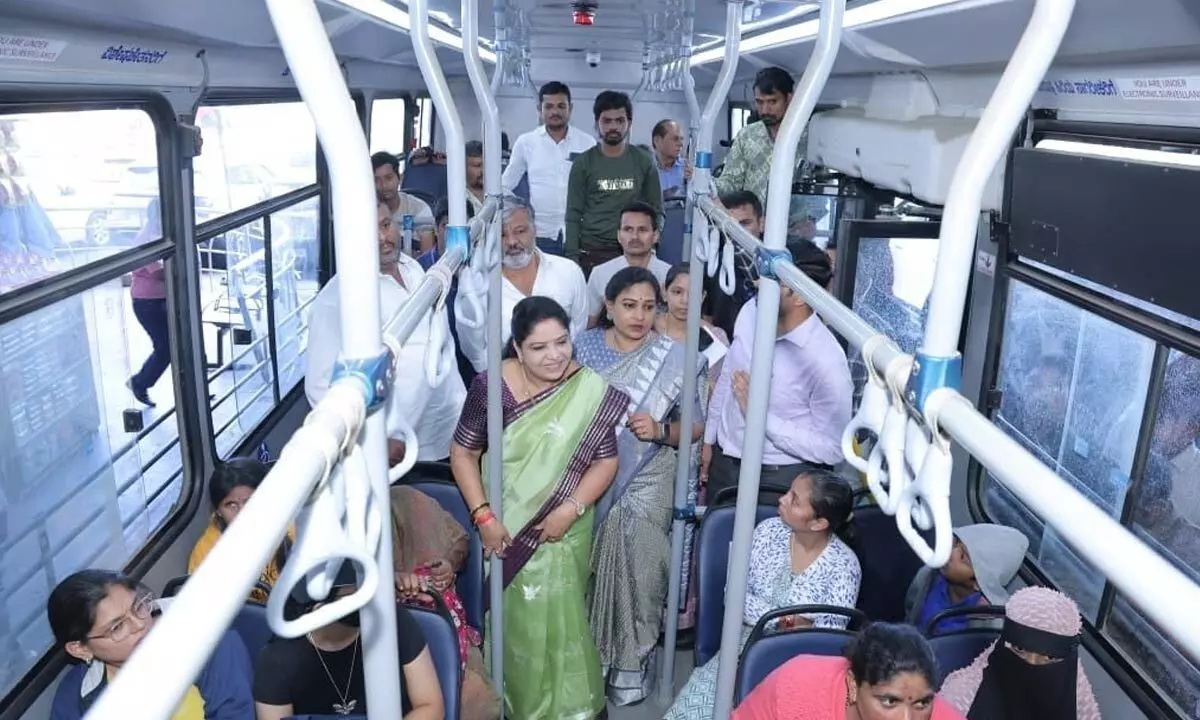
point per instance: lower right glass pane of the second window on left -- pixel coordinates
(296, 248)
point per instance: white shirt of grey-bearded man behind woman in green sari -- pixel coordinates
(557, 278)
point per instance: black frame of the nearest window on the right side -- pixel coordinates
(1167, 337)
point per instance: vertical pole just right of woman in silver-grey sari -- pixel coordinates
(701, 184)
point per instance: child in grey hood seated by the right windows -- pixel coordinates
(985, 560)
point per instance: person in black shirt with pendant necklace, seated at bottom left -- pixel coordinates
(322, 674)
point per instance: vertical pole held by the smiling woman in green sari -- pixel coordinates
(491, 245)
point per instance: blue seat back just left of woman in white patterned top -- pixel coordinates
(712, 565)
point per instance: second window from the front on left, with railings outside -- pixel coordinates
(256, 280)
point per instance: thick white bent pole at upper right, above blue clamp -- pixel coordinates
(987, 147)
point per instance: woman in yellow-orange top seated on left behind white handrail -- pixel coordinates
(230, 490)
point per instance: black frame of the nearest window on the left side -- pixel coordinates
(28, 299)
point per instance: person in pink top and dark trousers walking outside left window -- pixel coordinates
(149, 295)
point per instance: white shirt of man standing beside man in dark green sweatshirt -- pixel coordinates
(548, 165)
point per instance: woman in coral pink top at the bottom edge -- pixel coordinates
(889, 674)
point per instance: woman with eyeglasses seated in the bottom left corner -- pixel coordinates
(101, 616)
